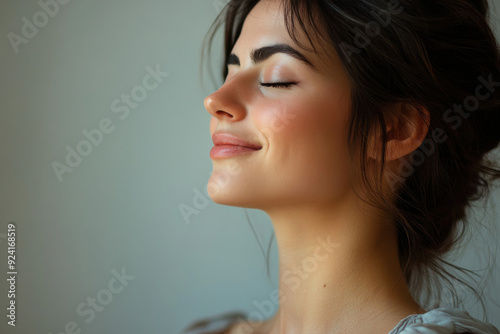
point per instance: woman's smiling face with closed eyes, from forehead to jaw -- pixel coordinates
(301, 128)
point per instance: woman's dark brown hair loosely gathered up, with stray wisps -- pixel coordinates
(436, 55)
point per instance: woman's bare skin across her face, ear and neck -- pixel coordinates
(302, 179)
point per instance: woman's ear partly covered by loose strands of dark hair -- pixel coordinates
(406, 128)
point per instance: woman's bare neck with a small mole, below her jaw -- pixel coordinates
(339, 271)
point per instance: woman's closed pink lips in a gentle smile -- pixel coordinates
(229, 145)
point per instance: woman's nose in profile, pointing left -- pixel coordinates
(226, 103)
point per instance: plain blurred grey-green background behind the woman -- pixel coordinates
(119, 208)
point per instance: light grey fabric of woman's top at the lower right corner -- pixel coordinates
(443, 321)
